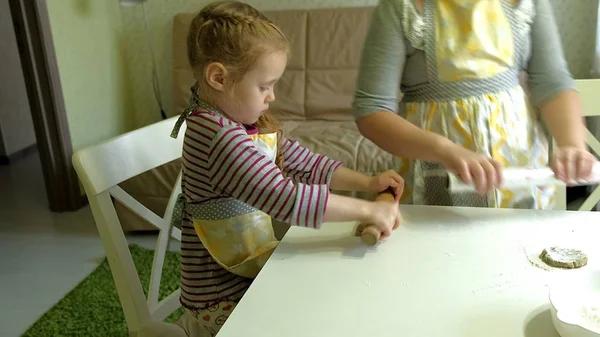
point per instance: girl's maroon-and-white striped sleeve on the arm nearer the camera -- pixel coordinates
(238, 170)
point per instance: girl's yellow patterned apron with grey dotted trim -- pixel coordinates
(241, 243)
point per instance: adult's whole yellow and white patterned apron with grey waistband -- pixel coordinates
(470, 45)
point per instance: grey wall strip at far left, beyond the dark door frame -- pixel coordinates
(16, 126)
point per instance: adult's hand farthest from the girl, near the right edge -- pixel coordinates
(571, 164)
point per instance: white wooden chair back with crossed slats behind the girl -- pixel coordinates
(101, 169)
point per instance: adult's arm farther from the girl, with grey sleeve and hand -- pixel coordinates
(553, 91)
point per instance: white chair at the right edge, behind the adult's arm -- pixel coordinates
(589, 91)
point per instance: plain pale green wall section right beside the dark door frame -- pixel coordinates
(89, 45)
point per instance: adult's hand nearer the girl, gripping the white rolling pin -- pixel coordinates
(484, 172)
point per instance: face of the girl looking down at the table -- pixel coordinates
(248, 99)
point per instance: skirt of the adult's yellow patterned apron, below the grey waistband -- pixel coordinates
(499, 125)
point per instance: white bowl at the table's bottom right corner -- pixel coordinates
(573, 298)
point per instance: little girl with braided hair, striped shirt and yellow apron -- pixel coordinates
(239, 171)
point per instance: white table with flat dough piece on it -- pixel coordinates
(446, 272)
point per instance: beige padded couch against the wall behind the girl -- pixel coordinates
(313, 97)
